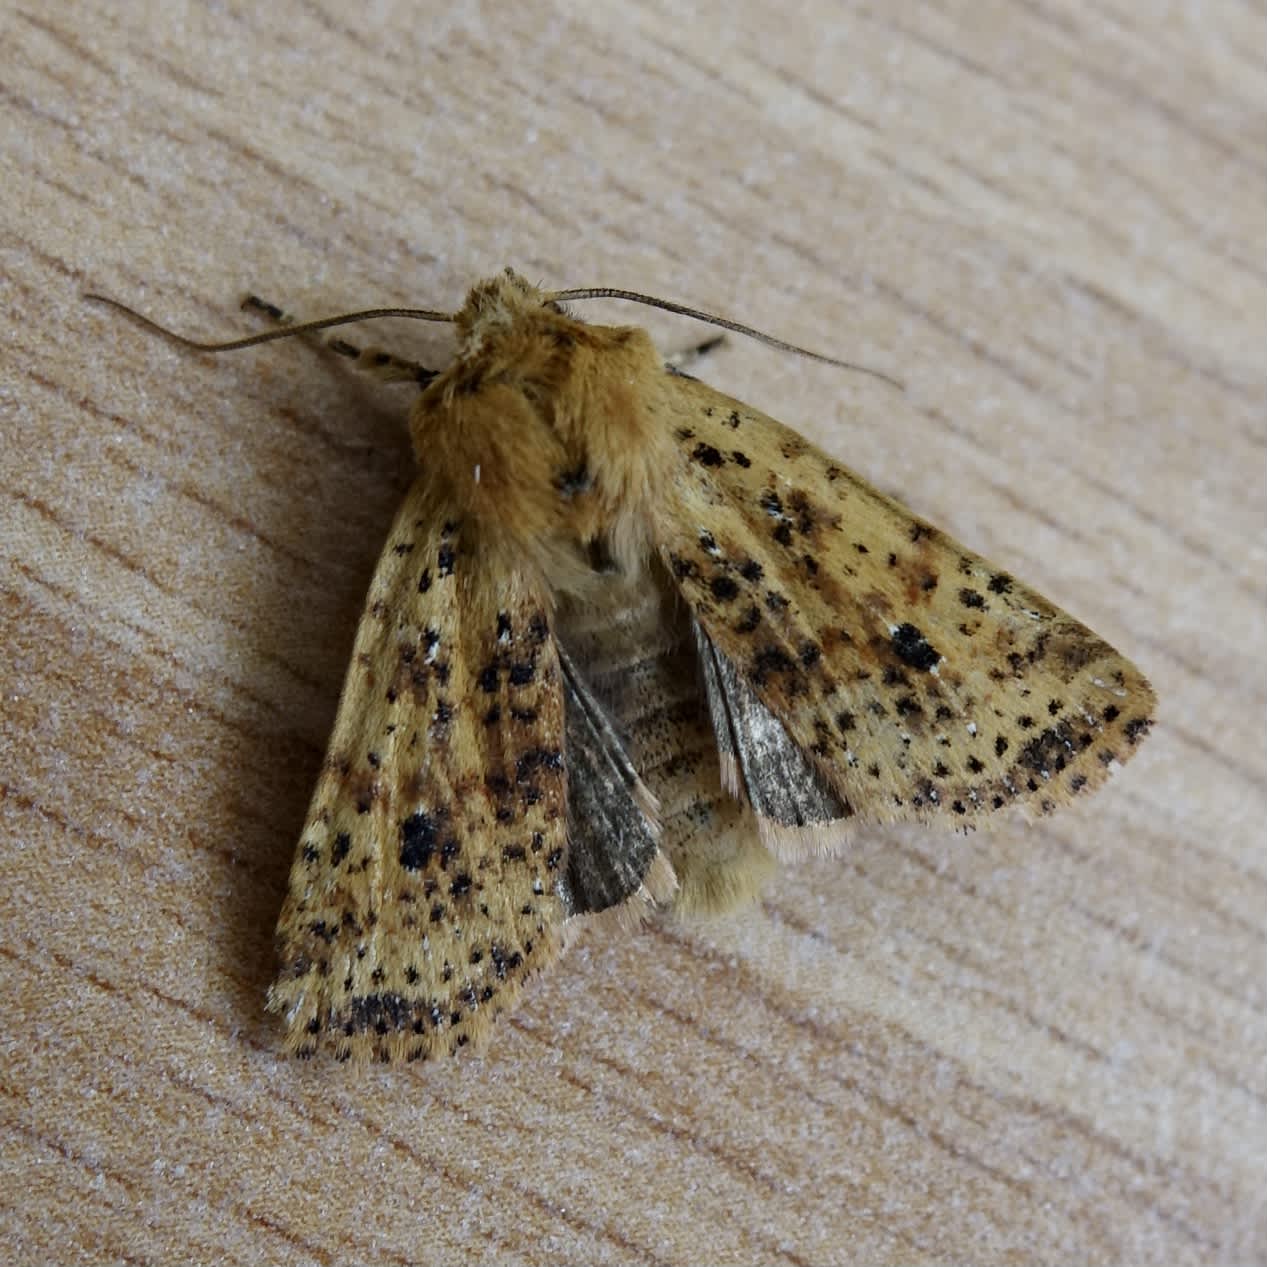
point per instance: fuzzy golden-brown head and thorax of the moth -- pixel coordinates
(545, 435)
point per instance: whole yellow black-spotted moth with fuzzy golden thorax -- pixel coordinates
(629, 643)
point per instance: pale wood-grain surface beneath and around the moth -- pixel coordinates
(1038, 1046)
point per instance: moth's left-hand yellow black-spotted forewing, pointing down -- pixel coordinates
(424, 888)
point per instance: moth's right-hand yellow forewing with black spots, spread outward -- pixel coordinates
(919, 678)
